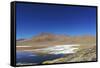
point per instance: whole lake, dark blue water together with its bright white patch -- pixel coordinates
(54, 52)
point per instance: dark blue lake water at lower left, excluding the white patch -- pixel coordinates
(29, 57)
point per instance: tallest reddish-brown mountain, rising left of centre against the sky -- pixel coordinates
(45, 37)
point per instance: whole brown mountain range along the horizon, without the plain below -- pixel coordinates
(50, 37)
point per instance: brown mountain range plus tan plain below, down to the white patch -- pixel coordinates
(48, 39)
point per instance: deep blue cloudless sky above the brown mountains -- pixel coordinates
(32, 19)
